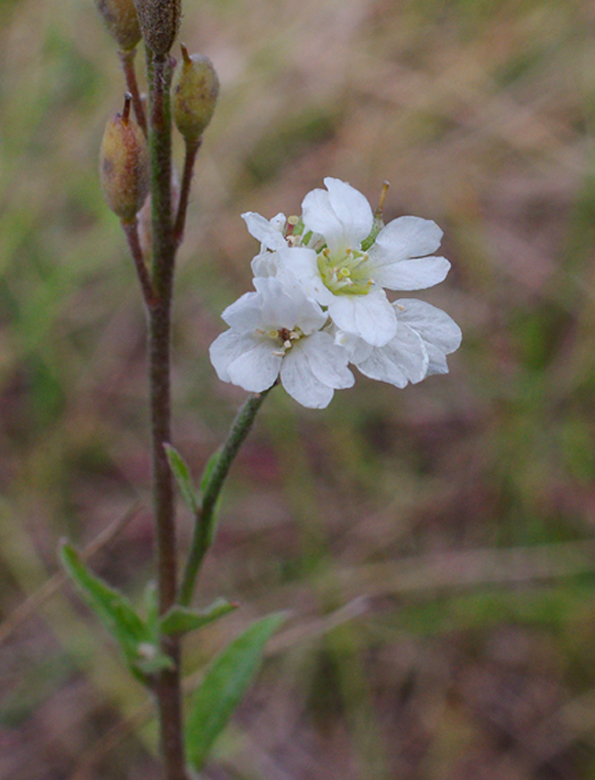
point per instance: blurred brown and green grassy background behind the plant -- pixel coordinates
(433, 546)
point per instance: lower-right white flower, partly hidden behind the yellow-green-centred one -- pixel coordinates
(425, 335)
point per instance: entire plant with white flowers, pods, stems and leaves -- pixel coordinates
(319, 306)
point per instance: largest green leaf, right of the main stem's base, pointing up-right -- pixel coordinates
(223, 686)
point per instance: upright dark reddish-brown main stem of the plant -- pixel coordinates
(167, 687)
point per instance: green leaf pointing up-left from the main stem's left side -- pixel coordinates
(112, 608)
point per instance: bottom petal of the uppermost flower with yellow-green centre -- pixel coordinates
(371, 317)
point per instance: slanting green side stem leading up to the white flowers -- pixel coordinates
(204, 522)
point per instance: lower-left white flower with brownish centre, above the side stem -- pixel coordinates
(276, 332)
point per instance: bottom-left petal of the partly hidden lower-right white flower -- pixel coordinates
(404, 359)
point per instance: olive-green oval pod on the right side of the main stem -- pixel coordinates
(196, 89)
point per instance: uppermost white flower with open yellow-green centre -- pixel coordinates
(348, 275)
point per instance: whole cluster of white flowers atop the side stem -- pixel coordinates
(320, 302)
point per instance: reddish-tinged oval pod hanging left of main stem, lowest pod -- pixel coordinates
(124, 165)
